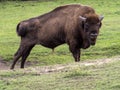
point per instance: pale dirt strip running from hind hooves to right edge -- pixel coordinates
(67, 67)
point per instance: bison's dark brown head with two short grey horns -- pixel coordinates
(91, 25)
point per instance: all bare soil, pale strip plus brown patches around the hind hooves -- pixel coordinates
(58, 68)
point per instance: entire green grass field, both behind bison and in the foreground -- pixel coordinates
(103, 77)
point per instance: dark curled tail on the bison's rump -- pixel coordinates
(21, 30)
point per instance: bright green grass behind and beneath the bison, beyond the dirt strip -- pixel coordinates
(11, 13)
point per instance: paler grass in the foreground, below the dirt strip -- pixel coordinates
(104, 77)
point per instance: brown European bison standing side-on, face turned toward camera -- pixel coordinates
(77, 25)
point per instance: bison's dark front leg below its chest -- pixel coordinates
(76, 52)
